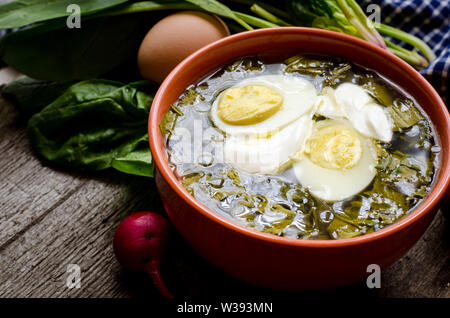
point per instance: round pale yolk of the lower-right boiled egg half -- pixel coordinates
(334, 147)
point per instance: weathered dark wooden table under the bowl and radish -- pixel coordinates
(51, 218)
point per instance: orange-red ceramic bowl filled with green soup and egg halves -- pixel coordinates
(294, 158)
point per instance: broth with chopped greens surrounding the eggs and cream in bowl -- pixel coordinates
(278, 204)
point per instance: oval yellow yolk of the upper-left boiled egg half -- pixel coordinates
(248, 105)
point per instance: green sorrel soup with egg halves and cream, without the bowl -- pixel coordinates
(311, 147)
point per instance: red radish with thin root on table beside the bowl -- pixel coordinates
(139, 243)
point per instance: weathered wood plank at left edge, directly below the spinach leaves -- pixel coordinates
(27, 188)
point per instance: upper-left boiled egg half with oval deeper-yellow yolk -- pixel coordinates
(262, 105)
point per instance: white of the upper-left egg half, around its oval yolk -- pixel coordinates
(298, 94)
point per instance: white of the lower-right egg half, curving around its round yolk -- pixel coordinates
(335, 185)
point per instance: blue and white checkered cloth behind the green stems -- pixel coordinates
(427, 19)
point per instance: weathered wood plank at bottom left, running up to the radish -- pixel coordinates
(77, 231)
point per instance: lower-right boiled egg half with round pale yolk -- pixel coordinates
(338, 162)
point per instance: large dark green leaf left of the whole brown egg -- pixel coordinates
(51, 51)
